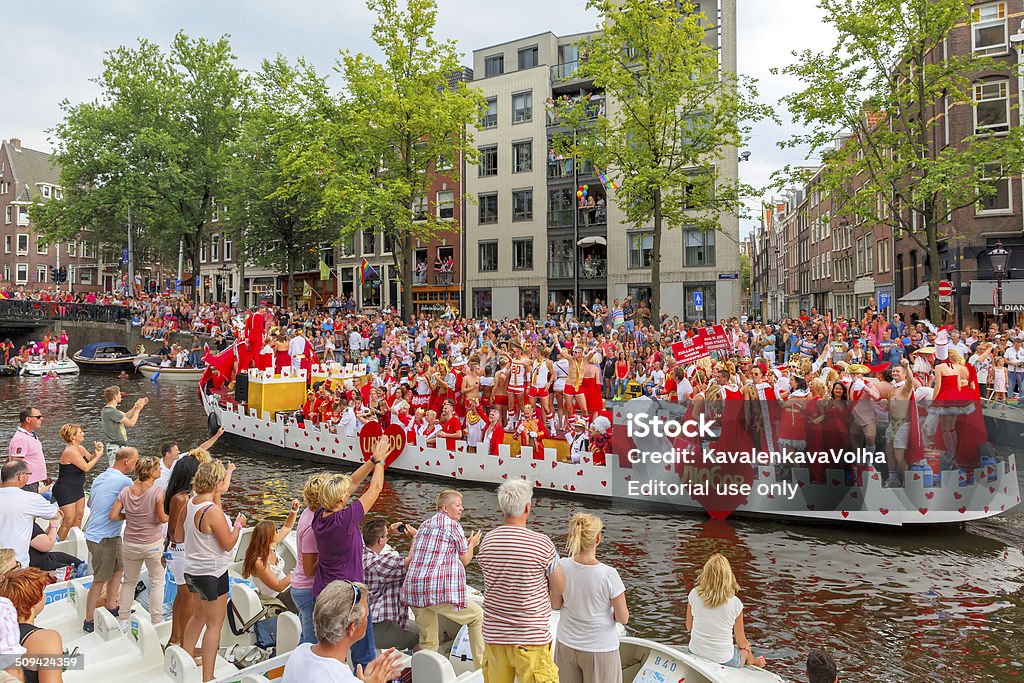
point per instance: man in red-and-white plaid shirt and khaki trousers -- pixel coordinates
(436, 580)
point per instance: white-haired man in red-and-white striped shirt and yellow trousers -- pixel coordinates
(521, 574)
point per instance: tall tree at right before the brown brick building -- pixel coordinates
(883, 91)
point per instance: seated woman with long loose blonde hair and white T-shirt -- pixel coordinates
(715, 615)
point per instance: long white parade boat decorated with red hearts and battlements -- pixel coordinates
(267, 422)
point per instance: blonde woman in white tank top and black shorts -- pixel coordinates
(209, 541)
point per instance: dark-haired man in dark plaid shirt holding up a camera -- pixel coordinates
(385, 574)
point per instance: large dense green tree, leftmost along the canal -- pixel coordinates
(157, 141)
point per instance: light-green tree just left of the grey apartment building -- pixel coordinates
(406, 117)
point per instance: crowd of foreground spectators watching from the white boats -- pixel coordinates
(353, 593)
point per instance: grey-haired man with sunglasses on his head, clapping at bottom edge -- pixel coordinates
(340, 621)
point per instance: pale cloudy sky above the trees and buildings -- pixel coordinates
(53, 54)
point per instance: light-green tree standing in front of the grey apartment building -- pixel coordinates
(673, 114)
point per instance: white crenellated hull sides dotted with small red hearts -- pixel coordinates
(996, 490)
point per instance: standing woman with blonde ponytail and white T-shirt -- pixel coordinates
(592, 603)
